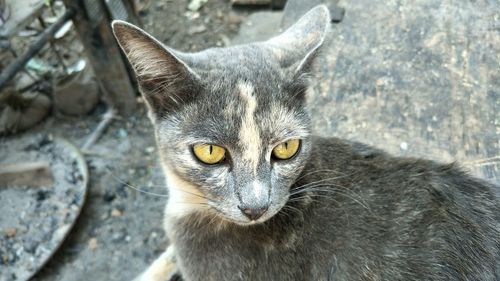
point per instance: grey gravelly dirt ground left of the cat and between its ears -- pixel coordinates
(119, 231)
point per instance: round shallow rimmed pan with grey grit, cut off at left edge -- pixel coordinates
(35, 221)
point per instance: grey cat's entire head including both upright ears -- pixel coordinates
(231, 123)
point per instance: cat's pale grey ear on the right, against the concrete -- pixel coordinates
(298, 46)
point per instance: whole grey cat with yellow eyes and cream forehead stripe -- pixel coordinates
(253, 195)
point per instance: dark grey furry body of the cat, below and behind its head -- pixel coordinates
(358, 221)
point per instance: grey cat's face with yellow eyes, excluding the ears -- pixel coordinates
(240, 124)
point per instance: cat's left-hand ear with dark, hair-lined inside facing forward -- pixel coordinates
(164, 78)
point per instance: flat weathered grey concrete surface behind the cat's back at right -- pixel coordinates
(416, 78)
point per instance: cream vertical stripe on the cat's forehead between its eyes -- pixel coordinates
(249, 136)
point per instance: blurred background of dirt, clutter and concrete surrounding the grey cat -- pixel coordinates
(81, 192)
